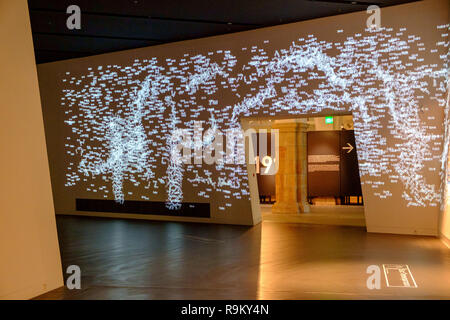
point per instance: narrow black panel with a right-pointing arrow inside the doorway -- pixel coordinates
(350, 181)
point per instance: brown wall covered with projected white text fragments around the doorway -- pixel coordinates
(119, 117)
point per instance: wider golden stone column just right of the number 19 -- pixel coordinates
(286, 177)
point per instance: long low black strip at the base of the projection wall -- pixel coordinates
(197, 210)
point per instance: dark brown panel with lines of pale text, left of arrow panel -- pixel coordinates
(323, 163)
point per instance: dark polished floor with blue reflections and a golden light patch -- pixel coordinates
(132, 259)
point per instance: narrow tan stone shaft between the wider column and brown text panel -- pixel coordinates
(302, 168)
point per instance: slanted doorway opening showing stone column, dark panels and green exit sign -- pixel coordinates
(317, 178)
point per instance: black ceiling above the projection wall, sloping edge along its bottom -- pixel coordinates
(112, 25)
